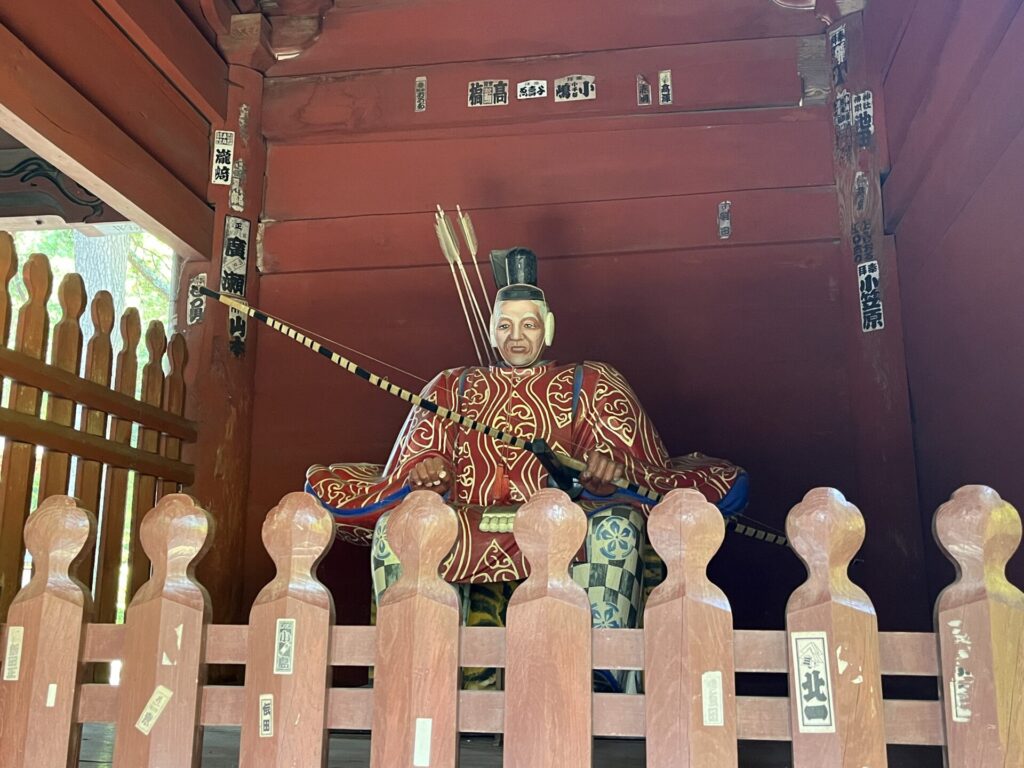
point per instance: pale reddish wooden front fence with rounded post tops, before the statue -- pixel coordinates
(691, 716)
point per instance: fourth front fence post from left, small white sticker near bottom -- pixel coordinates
(416, 680)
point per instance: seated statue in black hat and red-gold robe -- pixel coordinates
(583, 410)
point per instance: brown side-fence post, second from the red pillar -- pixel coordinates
(149, 440)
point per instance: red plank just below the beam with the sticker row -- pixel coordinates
(376, 178)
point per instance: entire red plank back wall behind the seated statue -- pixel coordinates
(737, 348)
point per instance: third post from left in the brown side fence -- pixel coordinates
(67, 356)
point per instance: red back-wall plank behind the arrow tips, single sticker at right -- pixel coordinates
(620, 227)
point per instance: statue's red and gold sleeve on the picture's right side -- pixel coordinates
(612, 418)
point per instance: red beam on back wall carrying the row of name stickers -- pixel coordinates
(706, 76)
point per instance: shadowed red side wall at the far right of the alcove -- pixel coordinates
(953, 75)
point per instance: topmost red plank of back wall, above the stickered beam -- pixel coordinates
(394, 35)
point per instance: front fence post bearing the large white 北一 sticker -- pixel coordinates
(835, 673)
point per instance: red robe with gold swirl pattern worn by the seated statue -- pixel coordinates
(577, 409)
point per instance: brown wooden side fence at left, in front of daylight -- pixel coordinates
(103, 440)
